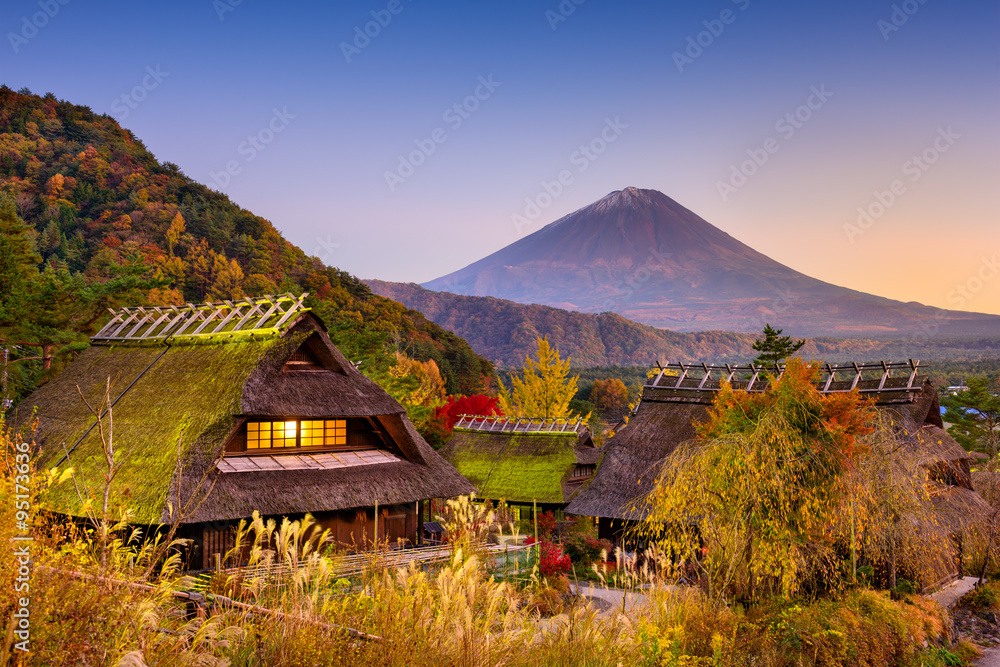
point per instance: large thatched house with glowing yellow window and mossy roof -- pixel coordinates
(252, 398)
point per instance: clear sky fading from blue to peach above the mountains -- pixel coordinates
(893, 77)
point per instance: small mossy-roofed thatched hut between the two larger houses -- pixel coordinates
(523, 461)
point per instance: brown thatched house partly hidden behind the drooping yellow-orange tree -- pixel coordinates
(679, 396)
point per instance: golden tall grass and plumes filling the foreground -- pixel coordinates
(290, 607)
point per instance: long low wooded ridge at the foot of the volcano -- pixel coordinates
(505, 332)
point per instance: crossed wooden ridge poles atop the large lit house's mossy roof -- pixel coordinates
(244, 317)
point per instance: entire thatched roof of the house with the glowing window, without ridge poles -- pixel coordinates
(198, 391)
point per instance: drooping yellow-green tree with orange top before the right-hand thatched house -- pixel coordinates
(763, 486)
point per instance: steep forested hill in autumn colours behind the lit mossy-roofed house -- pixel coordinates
(89, 219)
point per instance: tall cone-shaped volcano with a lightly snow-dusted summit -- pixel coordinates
(642, 255)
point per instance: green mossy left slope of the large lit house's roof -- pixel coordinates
(190, 390)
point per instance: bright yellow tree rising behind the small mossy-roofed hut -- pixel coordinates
(544, 389)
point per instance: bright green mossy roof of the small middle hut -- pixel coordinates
(522, 466)
